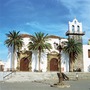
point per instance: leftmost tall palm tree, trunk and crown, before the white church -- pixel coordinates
(15, 41)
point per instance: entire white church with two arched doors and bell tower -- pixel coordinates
(28, 60)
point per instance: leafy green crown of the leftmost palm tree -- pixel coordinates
(13, 39)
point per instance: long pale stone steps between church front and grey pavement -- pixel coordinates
(33, 76)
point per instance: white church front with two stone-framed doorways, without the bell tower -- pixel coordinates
(28, 60)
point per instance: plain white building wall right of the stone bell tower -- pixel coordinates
(86, 60)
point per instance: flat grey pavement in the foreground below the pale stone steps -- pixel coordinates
(44, 85)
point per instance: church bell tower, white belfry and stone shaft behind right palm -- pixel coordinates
(75, 32)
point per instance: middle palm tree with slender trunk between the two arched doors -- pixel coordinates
(39, 42)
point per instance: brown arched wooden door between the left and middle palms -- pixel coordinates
(24, 64)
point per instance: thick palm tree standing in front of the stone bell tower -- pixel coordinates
(73, 48)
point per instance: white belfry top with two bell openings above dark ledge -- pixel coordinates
(75, 30)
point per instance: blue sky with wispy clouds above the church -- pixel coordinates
(48, 16)
